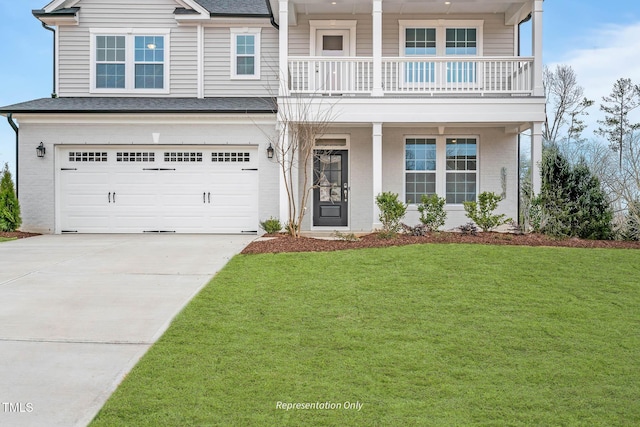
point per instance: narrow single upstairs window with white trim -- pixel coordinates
(245, 53)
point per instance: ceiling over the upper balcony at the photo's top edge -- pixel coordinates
(405, 7)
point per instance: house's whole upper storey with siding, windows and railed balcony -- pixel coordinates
(170, 48)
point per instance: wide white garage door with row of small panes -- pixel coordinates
(138, 189)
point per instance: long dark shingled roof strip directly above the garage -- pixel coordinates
(143, 105)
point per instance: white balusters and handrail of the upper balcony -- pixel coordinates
(437, 75)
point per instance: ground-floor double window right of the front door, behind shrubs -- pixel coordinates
(443, 166)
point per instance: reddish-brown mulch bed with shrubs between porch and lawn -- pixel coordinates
(284, 243)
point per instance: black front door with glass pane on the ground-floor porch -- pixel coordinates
(331, 189)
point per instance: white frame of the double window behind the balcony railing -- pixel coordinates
(441, 26)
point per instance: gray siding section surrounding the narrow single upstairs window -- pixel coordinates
(217, 65)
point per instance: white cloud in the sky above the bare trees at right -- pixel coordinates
(615, 53)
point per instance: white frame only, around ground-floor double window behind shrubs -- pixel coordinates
(441, 165)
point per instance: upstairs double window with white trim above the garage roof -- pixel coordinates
(129, 61)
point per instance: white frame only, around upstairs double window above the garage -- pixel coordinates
(130, 35)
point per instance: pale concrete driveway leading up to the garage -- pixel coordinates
(78, 311)
